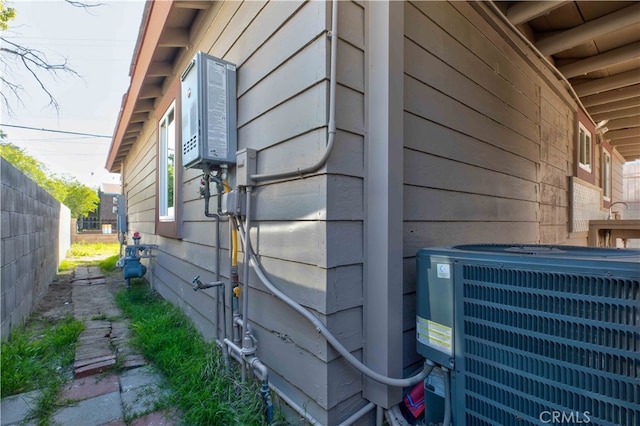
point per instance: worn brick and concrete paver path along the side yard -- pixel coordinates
(108, 399)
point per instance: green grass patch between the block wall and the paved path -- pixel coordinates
(38, 358)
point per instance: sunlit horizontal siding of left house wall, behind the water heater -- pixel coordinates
(281, 52)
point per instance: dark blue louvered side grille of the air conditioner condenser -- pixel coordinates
(547, 336)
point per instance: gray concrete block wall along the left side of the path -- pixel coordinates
(31, 244)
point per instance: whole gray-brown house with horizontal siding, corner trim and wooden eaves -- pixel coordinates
(450, 130)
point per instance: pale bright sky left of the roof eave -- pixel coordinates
(98, 43)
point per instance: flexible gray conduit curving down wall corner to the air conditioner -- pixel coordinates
(322, 329)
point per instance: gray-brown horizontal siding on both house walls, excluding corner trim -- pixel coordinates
(489, 149)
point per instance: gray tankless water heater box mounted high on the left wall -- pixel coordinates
(208, 94)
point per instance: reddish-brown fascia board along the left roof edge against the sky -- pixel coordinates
(157, 20)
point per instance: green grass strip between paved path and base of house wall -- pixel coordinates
(201, 388)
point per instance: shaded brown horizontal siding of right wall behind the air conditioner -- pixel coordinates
(490, 140)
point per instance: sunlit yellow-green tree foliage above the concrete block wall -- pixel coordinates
(68, 190)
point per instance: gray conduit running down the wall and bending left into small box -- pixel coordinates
(331, 131)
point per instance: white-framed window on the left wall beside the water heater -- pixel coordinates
(166, 163)
